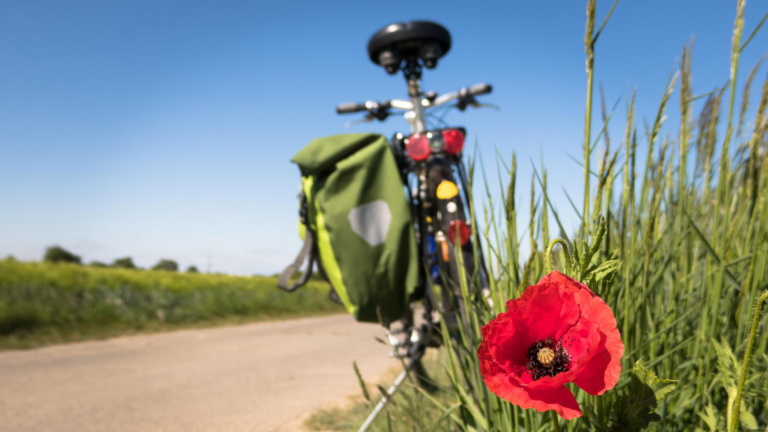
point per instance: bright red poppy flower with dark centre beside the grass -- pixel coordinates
(557, 332)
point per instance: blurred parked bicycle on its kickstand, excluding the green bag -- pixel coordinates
(429, 159)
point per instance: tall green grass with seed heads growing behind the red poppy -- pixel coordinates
(681, 248)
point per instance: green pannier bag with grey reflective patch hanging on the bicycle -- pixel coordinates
(356, 224)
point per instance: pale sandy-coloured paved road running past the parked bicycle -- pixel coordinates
(257, 377)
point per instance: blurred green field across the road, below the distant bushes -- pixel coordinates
(42, 303)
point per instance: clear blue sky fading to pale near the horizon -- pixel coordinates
(164, 129)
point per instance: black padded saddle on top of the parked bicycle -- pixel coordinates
(396, 42)
